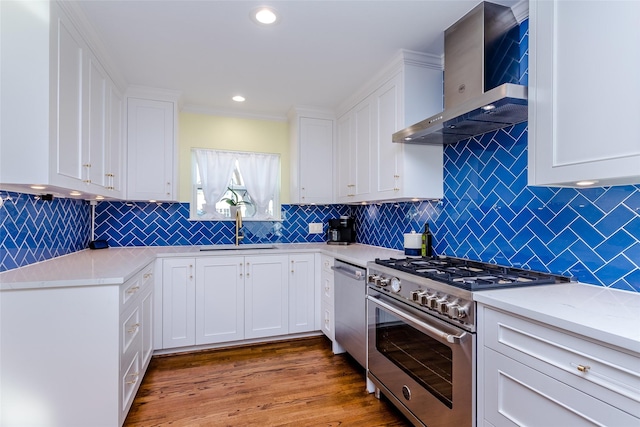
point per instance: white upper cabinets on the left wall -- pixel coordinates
(59, 131)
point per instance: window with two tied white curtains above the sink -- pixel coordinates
(234, 180)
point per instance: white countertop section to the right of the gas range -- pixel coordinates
(608, 315)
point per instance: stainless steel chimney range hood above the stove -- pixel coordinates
(481, 93)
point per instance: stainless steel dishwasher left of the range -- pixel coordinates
(350, 309)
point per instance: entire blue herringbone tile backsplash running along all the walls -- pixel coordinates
(488, 213)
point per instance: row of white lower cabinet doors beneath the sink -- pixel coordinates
(218, 299)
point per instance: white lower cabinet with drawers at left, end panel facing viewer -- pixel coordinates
(74, 355)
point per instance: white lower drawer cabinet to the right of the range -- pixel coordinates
(530, 373)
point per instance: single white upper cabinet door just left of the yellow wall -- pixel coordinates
(151, 150)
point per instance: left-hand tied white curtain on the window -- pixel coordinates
(215, 169)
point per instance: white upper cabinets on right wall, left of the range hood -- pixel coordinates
(370, 166)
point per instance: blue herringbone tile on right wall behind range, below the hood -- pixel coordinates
(489, 213)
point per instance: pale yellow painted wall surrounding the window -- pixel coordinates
(230, 133)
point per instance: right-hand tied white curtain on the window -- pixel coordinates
(260, 172)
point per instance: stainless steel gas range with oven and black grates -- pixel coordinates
(422, 333)
